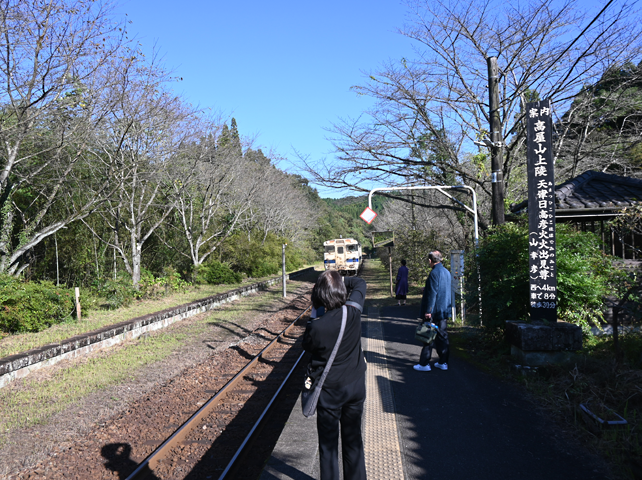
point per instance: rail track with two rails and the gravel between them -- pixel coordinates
(211, 443)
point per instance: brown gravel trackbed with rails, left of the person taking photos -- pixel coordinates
(115, 446)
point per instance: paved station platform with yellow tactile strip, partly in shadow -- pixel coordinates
(455, 424)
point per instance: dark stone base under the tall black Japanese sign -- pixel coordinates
(540, 344)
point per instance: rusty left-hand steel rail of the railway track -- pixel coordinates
(151, 462)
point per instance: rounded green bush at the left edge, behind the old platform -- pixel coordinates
(33, 306)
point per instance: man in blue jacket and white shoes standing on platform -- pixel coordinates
(436, 307)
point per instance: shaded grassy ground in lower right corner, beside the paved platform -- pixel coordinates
(594, 378)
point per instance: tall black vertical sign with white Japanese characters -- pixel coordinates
(541, 212)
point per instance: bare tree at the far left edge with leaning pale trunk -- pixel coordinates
(55, 63)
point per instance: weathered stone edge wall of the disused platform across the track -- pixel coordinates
(19, 365)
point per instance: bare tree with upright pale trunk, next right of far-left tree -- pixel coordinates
(148, 132)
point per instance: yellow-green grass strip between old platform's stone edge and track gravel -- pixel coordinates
(36, 401)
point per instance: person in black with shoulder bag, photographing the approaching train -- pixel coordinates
(344, 390)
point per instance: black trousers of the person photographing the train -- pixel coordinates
(342, 407)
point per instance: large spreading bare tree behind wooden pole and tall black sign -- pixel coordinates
(429, 109)
